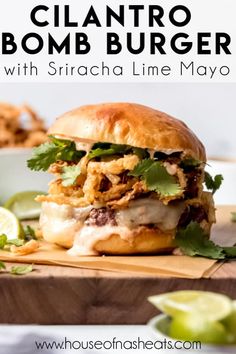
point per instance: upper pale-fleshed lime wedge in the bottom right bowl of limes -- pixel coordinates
(210, 306)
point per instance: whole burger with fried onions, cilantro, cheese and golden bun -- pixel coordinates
(127, 177)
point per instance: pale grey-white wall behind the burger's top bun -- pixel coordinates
(209, 109)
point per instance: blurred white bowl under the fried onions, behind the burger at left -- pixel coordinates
(15, 176)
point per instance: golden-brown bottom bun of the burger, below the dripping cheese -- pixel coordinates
(146, 241)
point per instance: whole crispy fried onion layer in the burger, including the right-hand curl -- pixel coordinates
(105, 183)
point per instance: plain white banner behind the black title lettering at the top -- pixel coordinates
(207, 16)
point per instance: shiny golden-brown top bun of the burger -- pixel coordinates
(129, 124)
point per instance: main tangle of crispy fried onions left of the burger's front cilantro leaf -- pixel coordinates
(88, 189)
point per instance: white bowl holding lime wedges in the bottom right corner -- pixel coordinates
(159, 326)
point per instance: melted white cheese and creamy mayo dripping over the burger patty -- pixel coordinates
(64, 225)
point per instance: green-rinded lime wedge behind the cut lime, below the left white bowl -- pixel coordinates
(24, 206)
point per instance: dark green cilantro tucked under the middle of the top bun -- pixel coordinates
(106, 149)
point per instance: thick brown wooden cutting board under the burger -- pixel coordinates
(62, 295)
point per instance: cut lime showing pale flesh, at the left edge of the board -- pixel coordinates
(10, 225)
